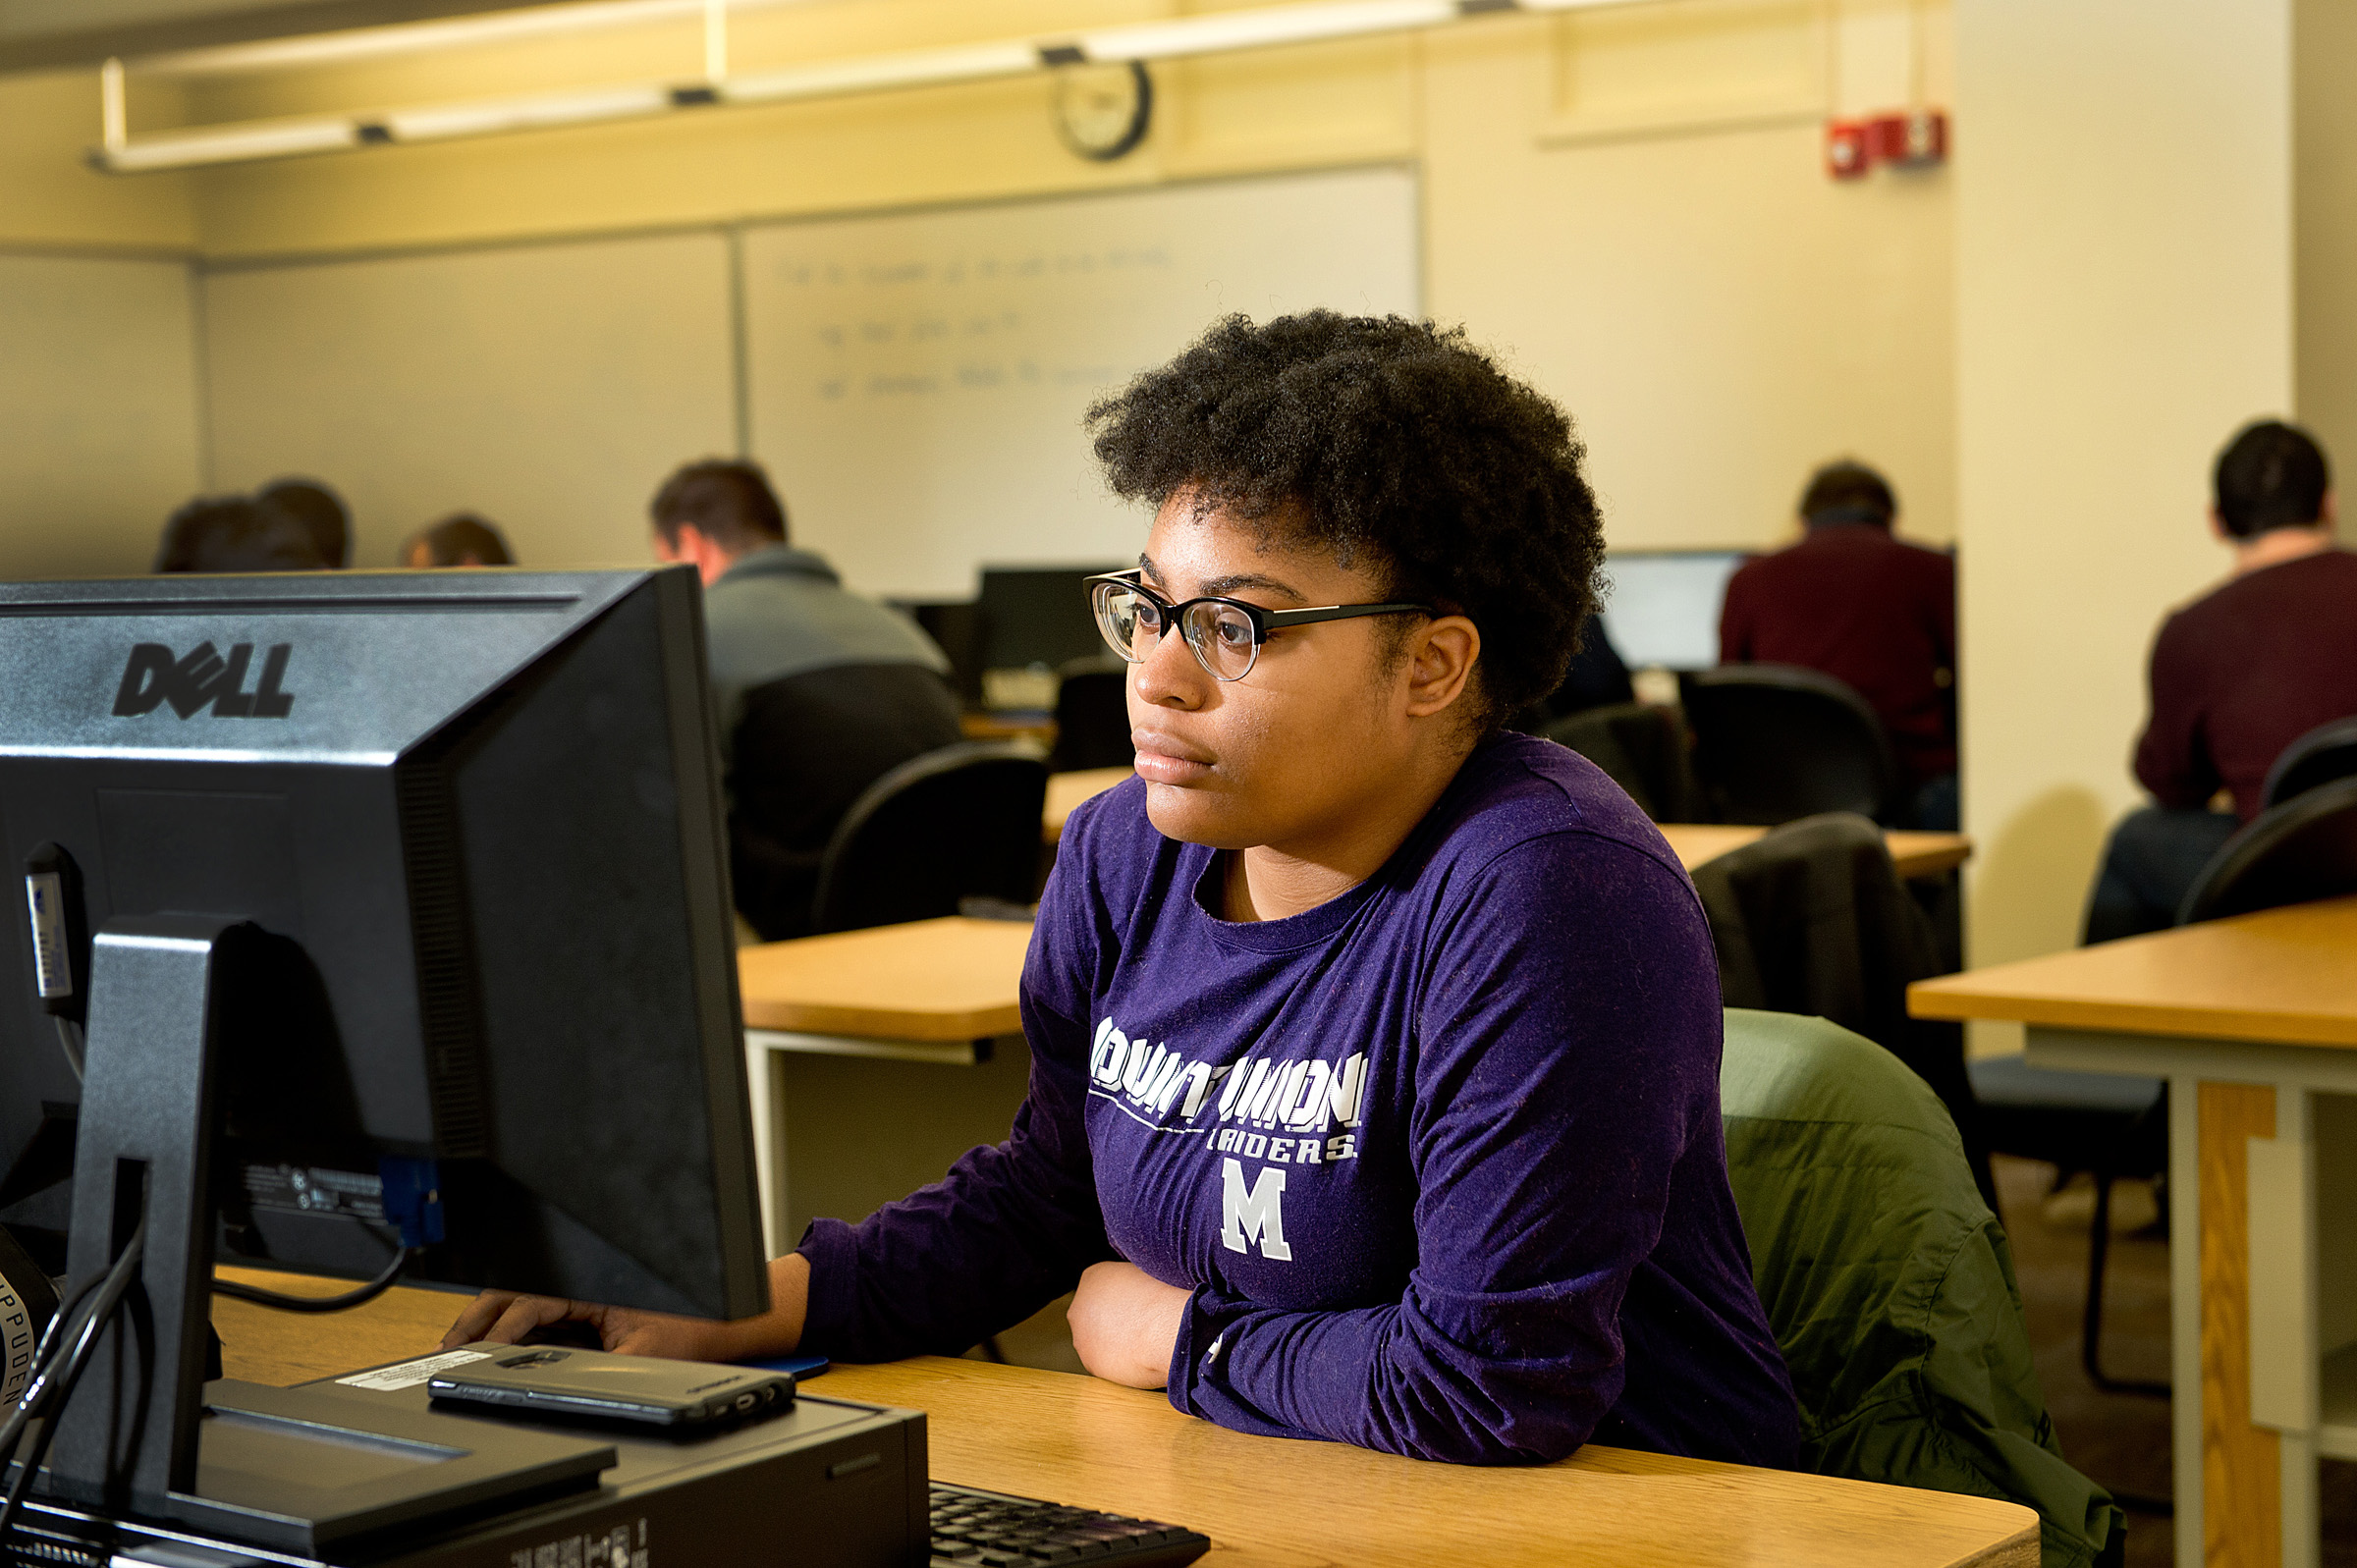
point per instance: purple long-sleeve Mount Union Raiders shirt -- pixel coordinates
(1439, 1159)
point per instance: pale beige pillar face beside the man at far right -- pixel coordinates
(2122, 305)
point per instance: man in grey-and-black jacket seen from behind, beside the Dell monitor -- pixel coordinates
(817, 690)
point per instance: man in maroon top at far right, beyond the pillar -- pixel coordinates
(2236, 676)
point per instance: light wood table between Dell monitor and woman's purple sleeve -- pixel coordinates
(845, 1048)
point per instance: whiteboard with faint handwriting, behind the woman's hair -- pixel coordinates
(918, 381)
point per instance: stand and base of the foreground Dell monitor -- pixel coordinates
(145, 1435)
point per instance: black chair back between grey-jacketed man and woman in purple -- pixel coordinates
(939, 829)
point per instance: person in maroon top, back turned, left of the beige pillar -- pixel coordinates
(1870, 610)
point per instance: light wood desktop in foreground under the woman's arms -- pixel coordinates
(1272, 1503)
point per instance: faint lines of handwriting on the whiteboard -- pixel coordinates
(923, 329)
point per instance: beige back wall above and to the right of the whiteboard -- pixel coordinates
(1632, 209)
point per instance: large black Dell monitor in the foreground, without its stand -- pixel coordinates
(480, 824)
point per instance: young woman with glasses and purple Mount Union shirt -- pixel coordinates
(1375, 1050)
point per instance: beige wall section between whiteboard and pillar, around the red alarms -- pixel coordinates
(1715, 312)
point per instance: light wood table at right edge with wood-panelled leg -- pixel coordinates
(2254, 1027)
